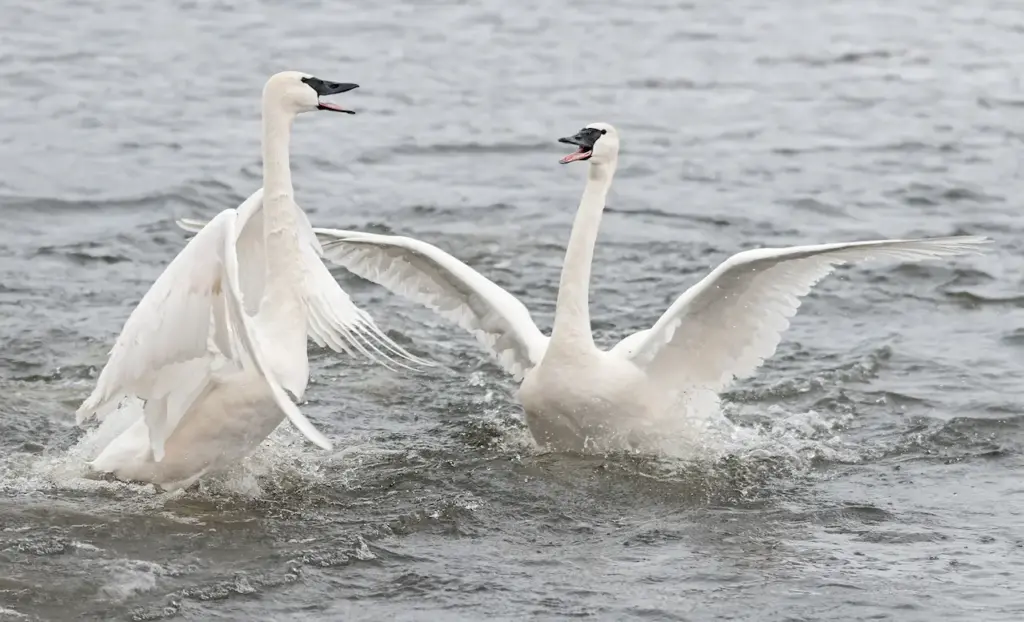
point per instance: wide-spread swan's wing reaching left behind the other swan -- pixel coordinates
(426, 275)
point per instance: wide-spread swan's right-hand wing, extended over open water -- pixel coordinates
(727, 325)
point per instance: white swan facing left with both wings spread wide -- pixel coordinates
(579, 398)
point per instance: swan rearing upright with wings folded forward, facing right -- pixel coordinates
(205, 363)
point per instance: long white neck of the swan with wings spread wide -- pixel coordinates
(572, 330)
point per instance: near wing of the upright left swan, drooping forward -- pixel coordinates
(191, 319)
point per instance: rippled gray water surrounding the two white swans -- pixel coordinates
(881, 478)
